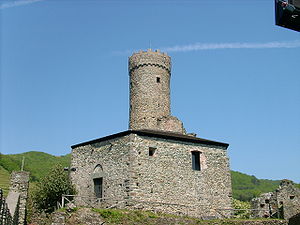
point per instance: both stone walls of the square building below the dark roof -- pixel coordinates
(163, 182)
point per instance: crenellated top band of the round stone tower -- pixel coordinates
(149, 58)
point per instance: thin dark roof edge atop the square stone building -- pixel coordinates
(159, 134)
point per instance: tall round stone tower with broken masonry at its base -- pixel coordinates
(150, 73)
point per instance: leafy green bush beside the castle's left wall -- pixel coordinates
(50, 189)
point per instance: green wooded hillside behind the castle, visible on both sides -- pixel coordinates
(244, 186)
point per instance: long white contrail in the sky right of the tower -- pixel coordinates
(235, 45)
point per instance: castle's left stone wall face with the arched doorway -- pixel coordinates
(113, 159)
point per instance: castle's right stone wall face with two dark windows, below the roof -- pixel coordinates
(167, 179)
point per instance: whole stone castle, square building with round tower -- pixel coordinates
(155, 165)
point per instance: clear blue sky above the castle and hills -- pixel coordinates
(64, 77)
